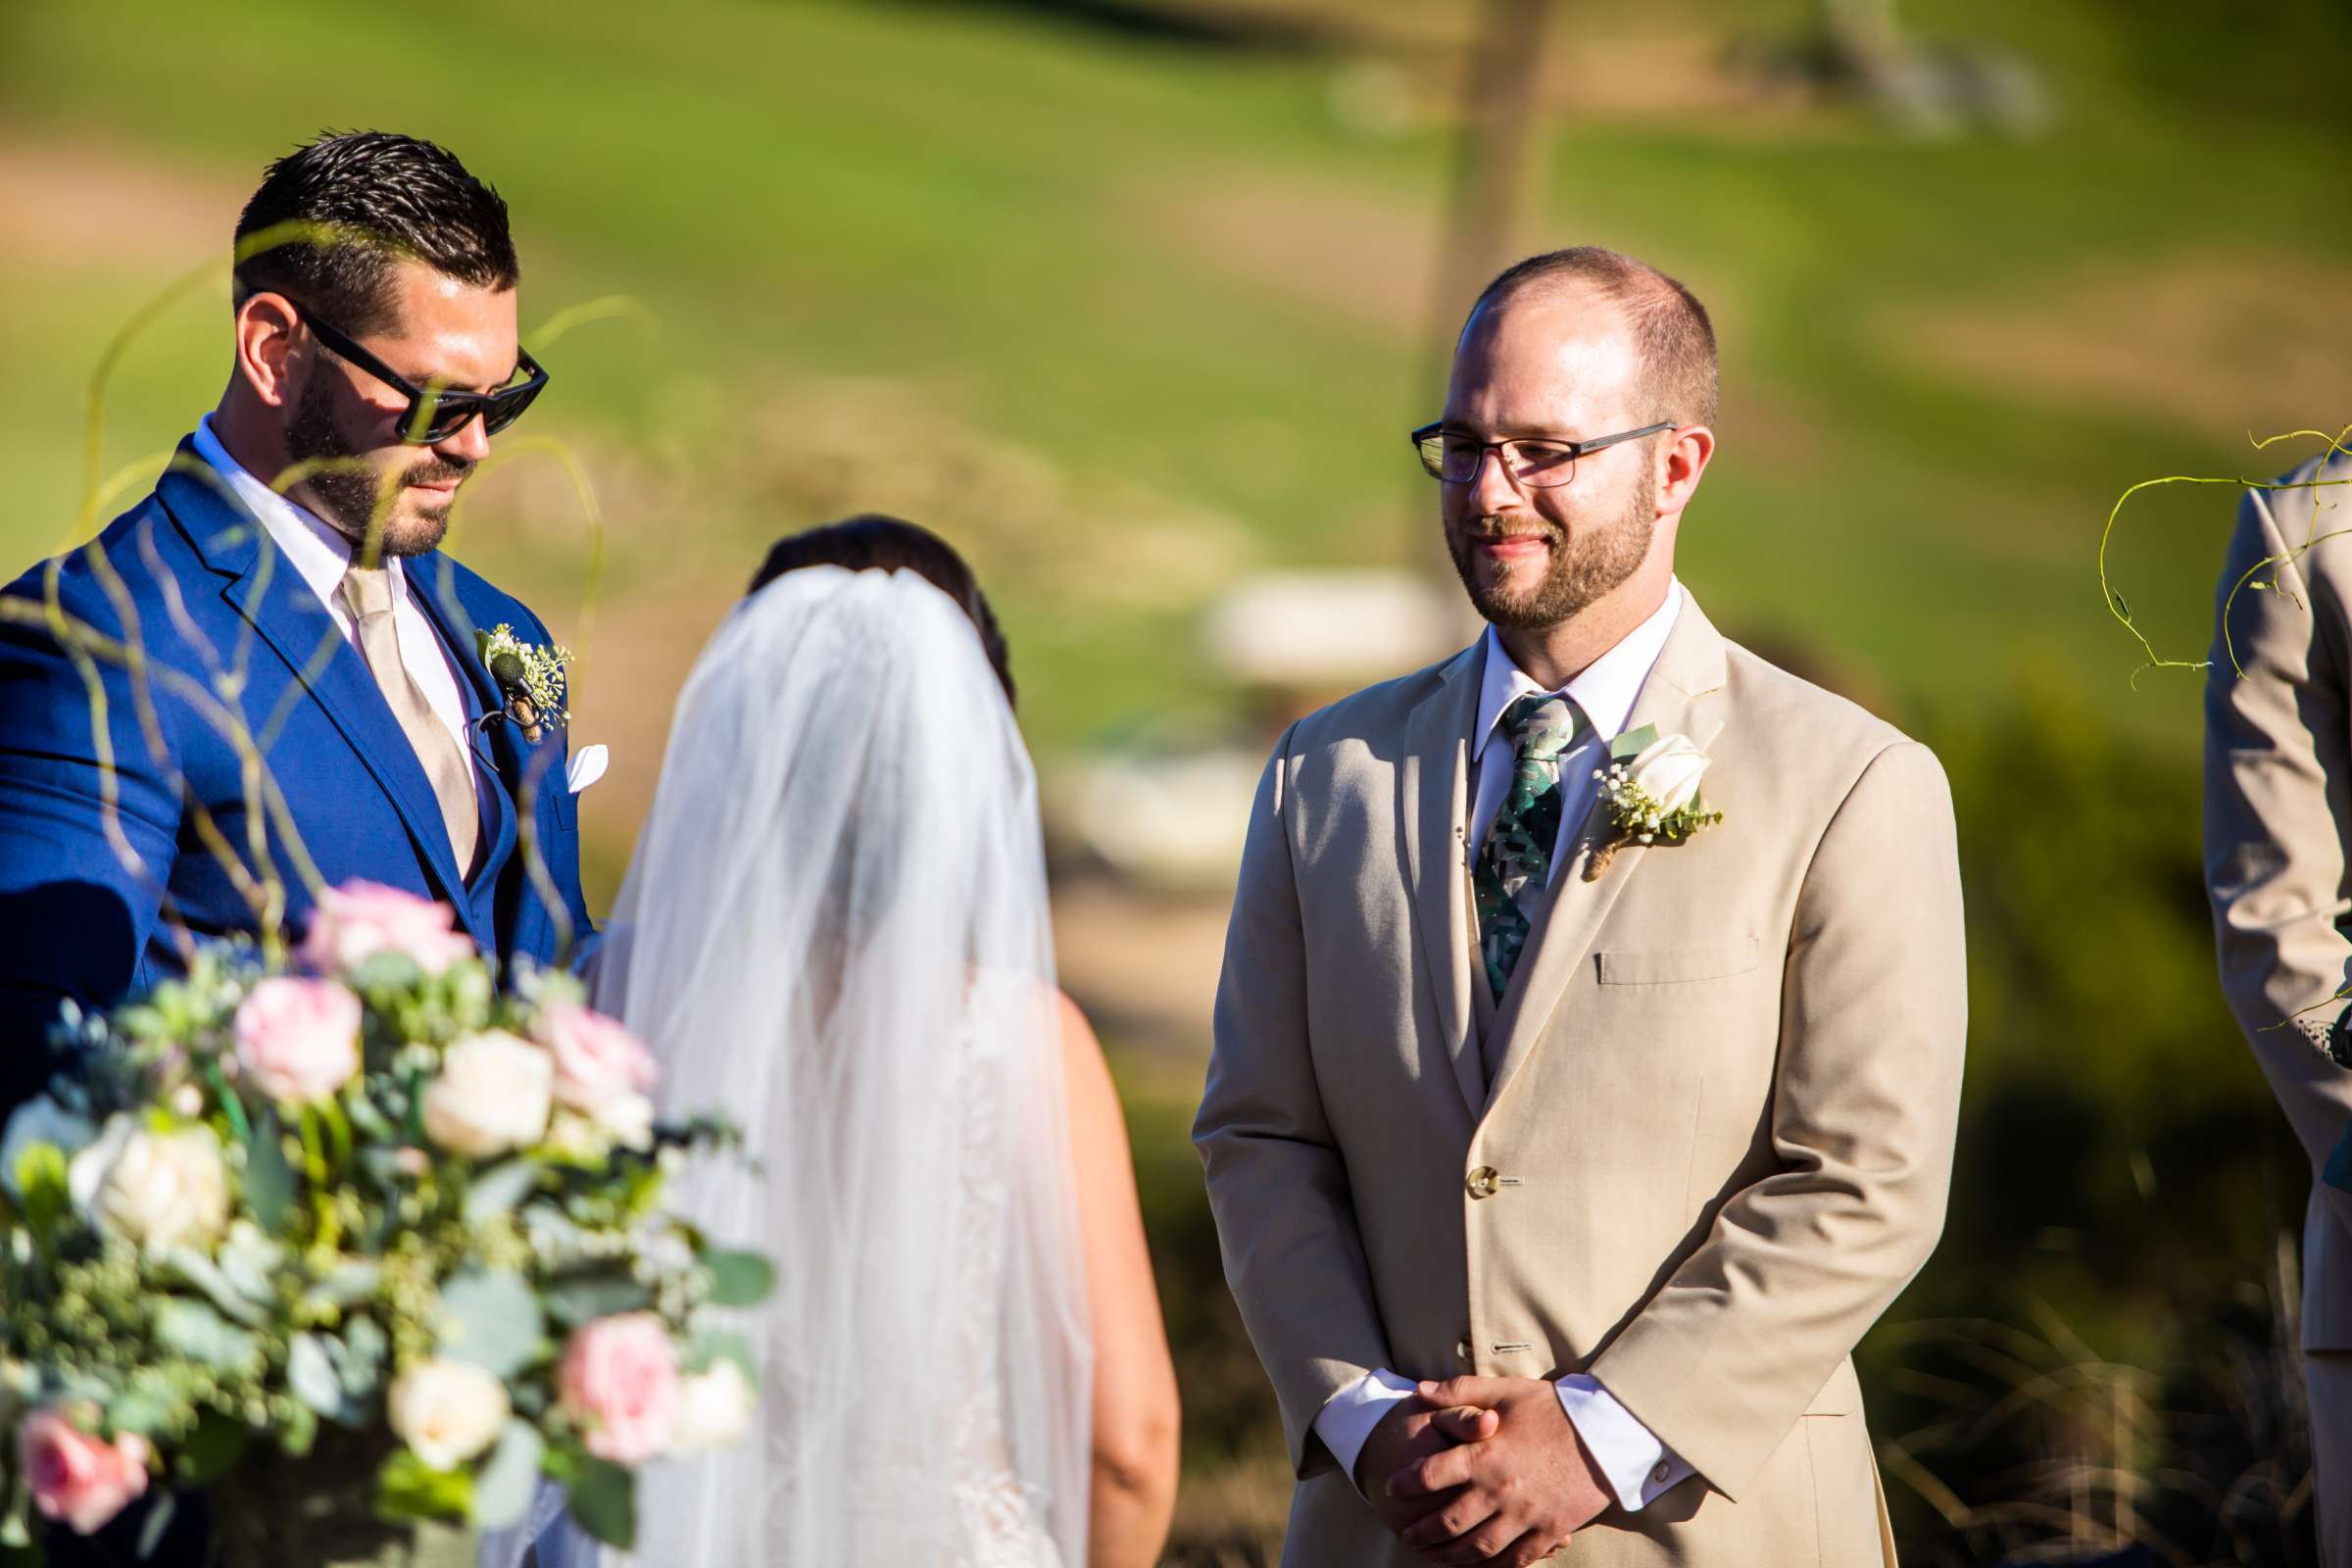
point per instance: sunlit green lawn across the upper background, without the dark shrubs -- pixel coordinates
(1043, 239)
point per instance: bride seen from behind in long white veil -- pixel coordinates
(836, 927)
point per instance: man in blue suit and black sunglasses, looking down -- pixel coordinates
(265, 678)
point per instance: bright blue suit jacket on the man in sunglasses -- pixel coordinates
(95, 899)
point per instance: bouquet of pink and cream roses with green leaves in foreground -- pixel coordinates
(366, 1247)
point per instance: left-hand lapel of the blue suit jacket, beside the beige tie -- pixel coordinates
(288, 617)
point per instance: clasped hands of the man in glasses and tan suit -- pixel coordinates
(1481, 1470)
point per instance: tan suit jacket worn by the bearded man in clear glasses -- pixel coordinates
(1720, 1118)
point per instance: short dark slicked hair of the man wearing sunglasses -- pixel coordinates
(347, 208)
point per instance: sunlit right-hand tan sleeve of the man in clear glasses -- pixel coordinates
(1866, 1101)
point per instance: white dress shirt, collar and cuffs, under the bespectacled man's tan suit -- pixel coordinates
(1629, 1454)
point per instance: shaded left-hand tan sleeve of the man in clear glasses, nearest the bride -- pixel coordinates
(1278, 1186)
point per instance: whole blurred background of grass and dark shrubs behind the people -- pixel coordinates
(1135, 300)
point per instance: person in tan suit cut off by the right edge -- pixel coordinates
(2278, 824)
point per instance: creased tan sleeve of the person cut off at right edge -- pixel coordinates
(2278, 789)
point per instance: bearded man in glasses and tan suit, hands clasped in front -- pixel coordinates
(1624, 1132)
